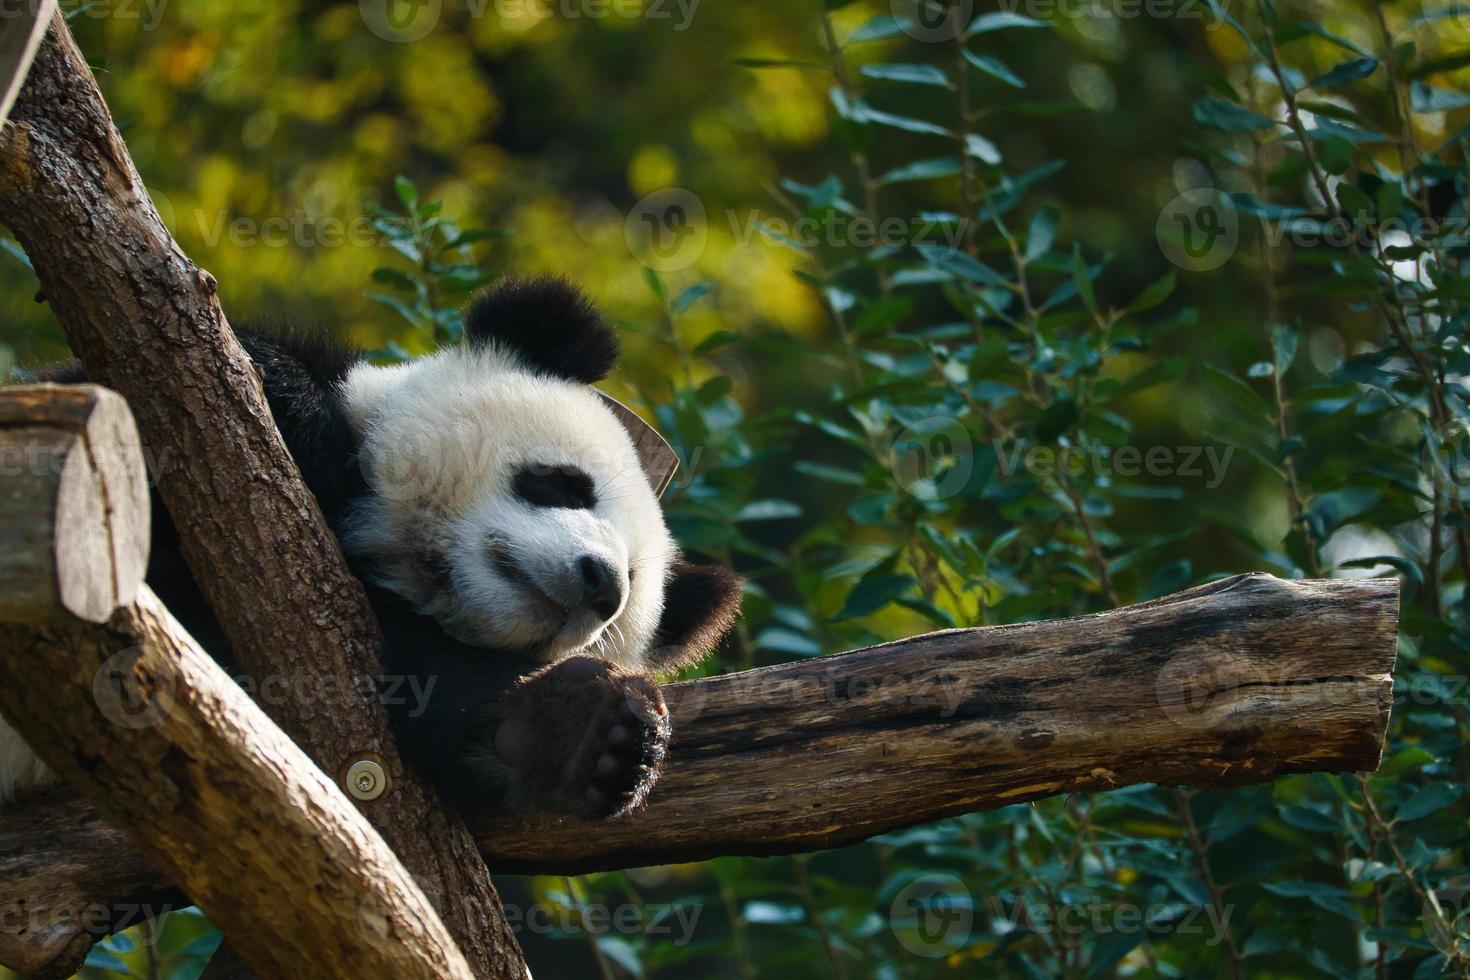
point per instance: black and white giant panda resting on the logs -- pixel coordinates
(514, 552)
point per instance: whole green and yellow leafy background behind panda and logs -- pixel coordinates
(295, 149)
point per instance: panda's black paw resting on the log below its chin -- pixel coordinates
(584, 738)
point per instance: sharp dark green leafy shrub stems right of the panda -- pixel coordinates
(967, 430)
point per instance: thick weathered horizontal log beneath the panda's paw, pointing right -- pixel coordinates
(1236, 682)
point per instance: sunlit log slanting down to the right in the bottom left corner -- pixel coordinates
(176, 754)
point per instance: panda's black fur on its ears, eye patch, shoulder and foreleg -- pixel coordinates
(451, 702)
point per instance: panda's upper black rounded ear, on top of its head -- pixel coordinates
(546, 323)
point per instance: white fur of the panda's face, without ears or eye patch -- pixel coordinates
(442, 439)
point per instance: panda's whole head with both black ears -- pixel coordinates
(508, 502)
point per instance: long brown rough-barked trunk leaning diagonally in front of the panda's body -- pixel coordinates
(148, 324)
